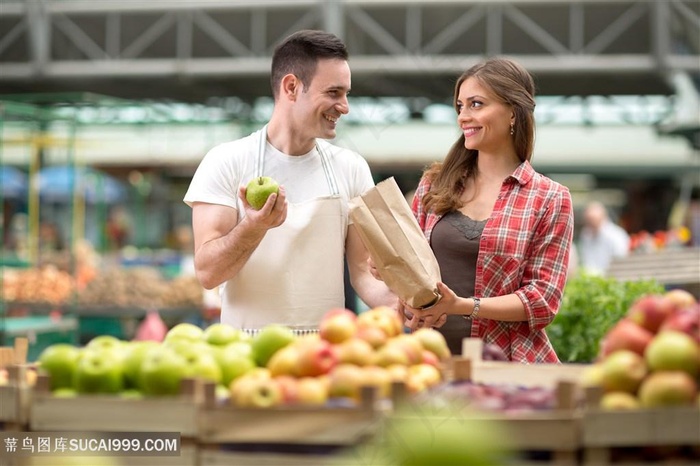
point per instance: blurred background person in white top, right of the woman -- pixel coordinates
(601, 240)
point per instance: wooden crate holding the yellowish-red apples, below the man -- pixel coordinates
(223, 427)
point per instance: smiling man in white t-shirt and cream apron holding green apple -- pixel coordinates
(284, 263)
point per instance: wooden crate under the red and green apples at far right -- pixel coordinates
(603, 431)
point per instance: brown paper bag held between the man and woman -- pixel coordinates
(396, 243)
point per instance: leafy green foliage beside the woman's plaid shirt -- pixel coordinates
(591, 305)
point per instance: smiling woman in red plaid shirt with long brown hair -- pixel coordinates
(501, 232)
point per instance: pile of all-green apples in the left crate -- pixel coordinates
(108, 365)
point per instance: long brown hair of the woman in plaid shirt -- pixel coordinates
(514, 86)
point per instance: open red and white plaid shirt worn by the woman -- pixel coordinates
(524, 249)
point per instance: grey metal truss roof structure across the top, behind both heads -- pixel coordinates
(192, 51)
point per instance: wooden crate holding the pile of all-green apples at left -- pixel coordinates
(109, 413)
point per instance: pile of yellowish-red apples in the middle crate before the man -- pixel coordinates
(349, 351)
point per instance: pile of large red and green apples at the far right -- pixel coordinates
(651, 358)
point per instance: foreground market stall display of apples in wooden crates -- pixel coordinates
(276, 397)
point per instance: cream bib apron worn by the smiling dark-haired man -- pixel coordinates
(296, 273)
